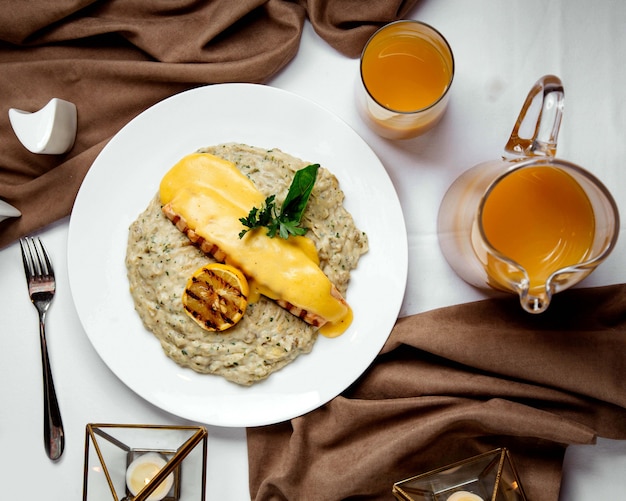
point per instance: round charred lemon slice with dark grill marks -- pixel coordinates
(216, 296)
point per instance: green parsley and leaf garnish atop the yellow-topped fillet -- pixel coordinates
(286, 221)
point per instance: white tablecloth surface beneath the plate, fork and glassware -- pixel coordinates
(501, 47)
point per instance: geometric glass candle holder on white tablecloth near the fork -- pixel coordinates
(136, 462)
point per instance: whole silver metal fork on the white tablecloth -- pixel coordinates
(41, 289)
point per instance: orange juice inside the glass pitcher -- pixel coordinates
(541, 218)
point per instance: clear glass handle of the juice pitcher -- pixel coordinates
(543, 143)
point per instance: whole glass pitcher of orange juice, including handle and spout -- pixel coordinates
(529, 223)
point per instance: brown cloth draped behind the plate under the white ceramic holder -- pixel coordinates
(113, 59)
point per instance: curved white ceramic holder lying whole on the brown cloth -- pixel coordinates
(50, 130)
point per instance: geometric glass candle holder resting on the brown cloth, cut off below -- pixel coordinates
(487, 477)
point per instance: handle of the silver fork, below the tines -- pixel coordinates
(54, 436)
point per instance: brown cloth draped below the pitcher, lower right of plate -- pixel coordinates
(452, 383)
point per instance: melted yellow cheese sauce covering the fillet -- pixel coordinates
(211, 194)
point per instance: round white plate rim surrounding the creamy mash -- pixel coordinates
(126, 175)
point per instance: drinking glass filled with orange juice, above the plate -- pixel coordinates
(407, 69)
